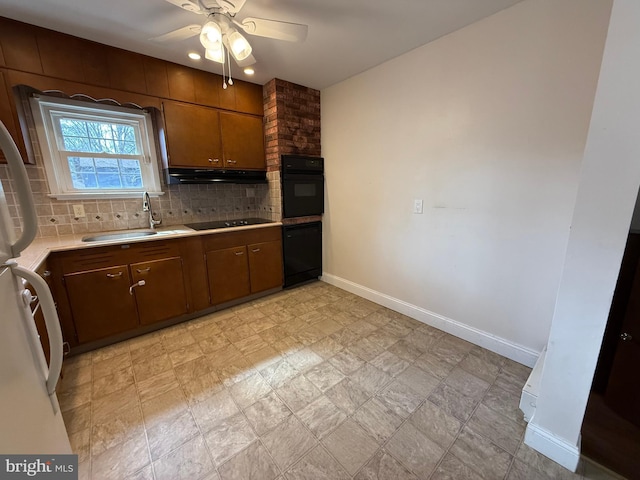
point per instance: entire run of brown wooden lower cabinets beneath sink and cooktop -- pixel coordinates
(110, 292)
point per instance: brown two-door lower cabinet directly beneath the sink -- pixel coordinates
(106, 291)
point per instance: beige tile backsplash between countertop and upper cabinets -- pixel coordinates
(180, 204)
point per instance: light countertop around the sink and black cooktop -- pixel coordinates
(40, 248)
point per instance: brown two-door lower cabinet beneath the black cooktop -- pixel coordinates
(241, 263)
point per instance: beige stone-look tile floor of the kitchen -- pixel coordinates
(311, 383)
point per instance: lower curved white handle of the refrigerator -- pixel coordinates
(52, 323)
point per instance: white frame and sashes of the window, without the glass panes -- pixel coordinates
(46, 111)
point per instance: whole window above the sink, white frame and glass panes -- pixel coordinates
(95, 151)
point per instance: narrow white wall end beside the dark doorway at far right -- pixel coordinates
(609, 183)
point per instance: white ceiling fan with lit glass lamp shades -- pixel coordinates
(219, 35)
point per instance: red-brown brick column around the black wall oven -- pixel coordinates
(292, 126)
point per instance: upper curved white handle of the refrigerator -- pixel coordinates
(22, 192)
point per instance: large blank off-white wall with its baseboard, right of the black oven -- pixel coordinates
(488, 126)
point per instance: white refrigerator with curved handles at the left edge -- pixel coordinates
(30, 417)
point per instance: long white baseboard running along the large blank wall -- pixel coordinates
(514, 351)
